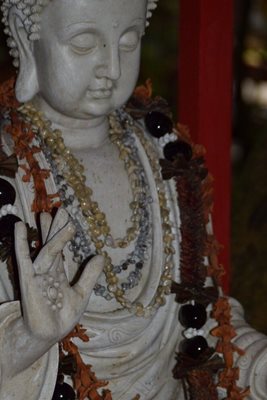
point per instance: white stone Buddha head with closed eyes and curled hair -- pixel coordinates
(81, 56)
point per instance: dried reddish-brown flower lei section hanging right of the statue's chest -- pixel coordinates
(194, 187)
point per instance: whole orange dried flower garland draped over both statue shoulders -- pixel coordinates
(199, 377)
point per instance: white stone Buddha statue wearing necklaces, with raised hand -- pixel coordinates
(78, 65)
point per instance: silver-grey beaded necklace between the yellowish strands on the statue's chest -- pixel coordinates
(81, 245)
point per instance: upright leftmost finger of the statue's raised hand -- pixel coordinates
(23, 252)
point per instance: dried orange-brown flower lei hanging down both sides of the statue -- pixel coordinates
(199, 377)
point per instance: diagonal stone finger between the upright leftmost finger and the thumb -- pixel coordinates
(53, 248)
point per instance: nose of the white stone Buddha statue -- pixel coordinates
(110, 65)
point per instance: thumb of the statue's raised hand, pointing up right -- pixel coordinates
(89, 277)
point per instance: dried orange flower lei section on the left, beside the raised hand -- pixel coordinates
(85, 381)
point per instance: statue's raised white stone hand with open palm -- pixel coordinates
(51, 307)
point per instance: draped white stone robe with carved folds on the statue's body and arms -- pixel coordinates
(136, 355)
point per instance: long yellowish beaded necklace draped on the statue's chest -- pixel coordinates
(73, 173)
